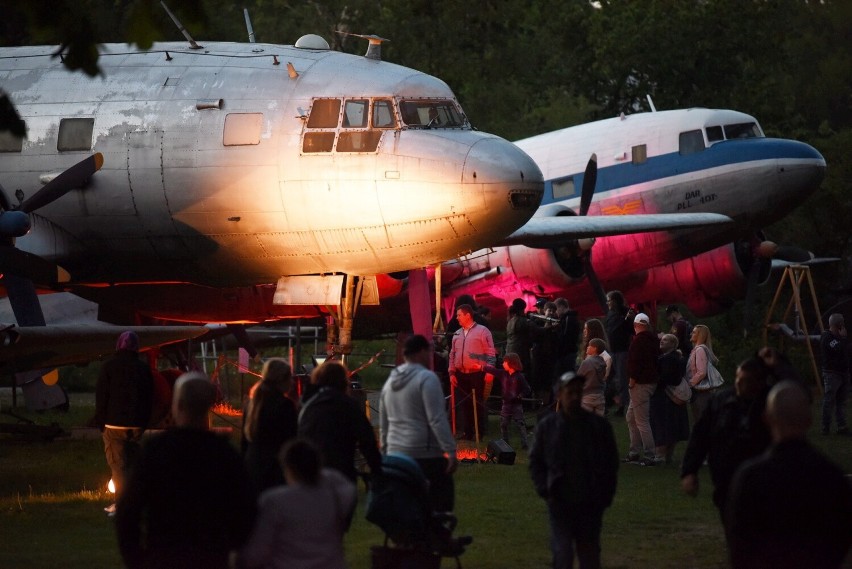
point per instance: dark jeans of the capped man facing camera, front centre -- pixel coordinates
(575, 524)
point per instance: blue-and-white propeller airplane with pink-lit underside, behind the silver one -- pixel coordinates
(688, 160)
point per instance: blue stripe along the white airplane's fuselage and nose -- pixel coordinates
(723, 153)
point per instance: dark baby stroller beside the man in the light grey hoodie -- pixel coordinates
(398, 503)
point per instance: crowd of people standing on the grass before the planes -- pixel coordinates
(291, 489)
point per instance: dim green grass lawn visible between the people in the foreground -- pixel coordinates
(52, 497)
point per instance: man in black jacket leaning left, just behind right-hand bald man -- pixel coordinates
(730, 431)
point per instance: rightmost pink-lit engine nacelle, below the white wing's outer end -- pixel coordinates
(707, 283)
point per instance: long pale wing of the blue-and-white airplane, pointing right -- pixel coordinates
(546, 232)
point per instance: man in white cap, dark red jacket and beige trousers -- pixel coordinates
(642, 371)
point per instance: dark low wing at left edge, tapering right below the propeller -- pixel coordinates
(42, 347)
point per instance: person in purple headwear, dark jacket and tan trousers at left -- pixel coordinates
(123, 400)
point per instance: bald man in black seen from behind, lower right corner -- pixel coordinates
(790, 507)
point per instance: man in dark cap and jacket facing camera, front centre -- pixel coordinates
(574, 466)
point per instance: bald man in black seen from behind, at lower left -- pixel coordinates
(188, 501)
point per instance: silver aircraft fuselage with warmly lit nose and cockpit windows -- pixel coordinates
(229, 165)
